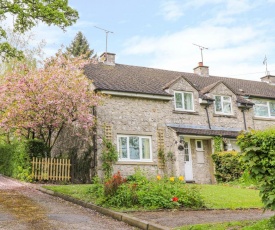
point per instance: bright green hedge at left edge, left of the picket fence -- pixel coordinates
(15, 161)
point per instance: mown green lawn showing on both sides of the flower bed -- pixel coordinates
(215, 196)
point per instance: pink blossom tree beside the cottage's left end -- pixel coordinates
(39, 103)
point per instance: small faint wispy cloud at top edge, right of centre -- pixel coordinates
(171, 10)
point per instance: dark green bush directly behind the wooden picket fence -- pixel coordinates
(36, 148)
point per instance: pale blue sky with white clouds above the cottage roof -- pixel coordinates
(161, 33)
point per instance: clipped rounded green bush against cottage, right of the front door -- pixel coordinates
(227, 166)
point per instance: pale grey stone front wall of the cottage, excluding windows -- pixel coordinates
(140, 116)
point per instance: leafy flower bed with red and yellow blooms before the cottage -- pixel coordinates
(138, 191)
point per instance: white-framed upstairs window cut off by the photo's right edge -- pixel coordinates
(264, 108)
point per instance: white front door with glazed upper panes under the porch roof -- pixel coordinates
(188, 169)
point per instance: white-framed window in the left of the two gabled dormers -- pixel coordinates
(184, 101)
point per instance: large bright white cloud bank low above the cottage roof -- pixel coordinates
(235, 46)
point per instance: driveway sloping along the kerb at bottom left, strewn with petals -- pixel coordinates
(22, 207)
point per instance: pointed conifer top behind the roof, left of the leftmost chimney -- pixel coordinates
(80, 46)
